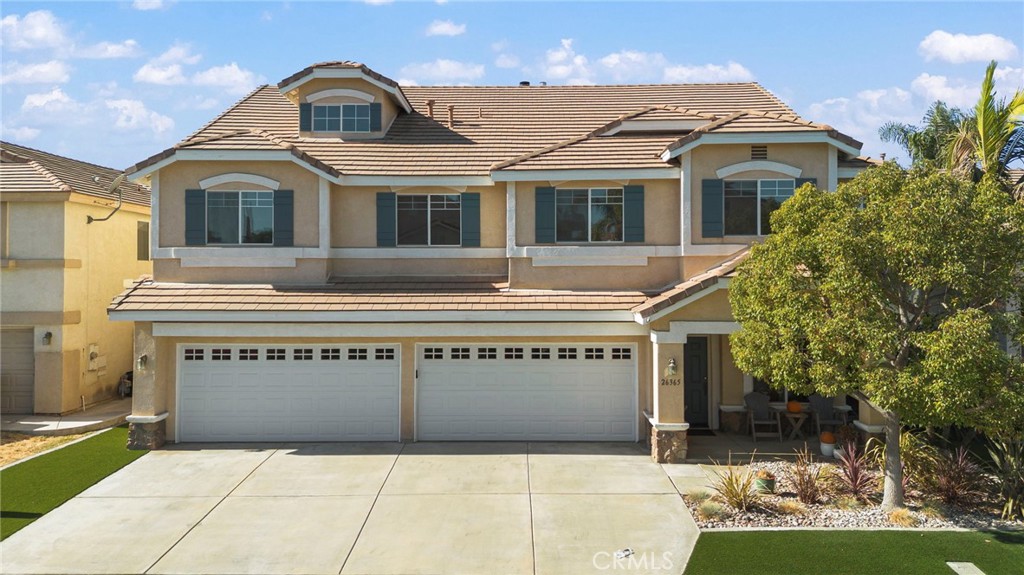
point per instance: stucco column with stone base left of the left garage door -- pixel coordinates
(148, 426)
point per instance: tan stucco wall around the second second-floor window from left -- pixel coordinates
(354, 213)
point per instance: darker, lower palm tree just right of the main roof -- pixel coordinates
(926, 145)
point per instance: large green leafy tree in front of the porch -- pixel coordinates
(891, 290)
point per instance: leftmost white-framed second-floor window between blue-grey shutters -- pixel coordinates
(240, 217)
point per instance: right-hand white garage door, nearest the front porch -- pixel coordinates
(527, 392)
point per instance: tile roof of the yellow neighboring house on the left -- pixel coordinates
(27, 170)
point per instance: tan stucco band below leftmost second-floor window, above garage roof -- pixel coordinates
(306, 272)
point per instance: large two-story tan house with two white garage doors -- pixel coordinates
(344, 258)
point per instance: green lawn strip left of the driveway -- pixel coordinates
(32, 489)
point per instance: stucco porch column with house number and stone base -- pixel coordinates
(668, 432)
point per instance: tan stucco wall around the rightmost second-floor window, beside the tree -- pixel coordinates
(706, 160)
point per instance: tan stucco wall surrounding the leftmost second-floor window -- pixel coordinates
(179, 178)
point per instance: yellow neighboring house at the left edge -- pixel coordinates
(59, 351)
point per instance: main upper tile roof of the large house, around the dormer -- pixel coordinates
(493, 124)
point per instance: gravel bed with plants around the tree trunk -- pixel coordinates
(828, 514)
